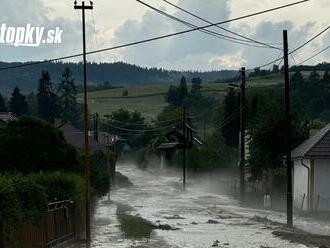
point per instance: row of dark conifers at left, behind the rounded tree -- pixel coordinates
(48, 103)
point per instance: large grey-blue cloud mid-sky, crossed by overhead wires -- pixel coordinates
(185, 48)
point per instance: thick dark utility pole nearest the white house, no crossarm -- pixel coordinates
(288, 131)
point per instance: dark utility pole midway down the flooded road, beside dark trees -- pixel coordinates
(242, 134)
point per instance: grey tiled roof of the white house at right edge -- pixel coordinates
(317, 146)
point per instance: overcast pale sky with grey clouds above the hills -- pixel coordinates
(115, 22)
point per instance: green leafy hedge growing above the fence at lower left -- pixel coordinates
(25, 198)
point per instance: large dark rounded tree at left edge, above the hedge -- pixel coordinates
(32, 145)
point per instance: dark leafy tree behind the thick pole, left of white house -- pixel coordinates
(267, 138)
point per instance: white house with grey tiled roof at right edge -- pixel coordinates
(311, 165)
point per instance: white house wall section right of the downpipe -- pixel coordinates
(322, 185)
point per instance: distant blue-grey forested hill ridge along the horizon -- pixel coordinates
(118, 74)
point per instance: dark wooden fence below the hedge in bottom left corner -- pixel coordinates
(57, 226)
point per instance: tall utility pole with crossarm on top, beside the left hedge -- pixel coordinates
(83, 7)
